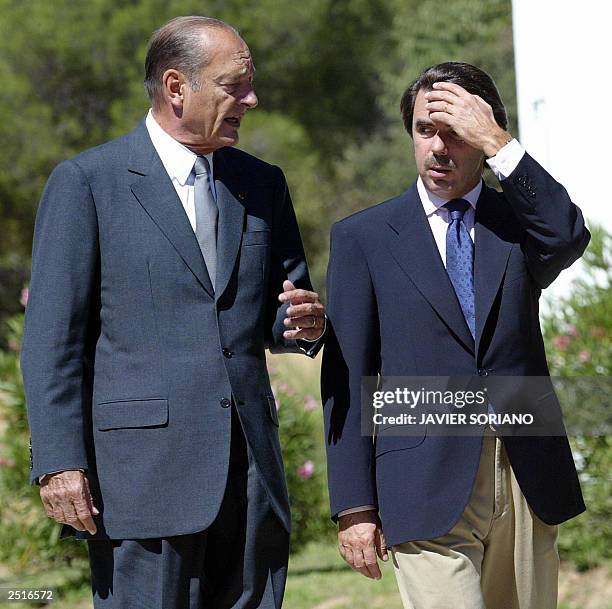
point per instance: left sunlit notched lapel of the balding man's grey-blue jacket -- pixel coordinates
(154, 191)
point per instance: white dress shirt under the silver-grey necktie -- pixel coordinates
(178, 161)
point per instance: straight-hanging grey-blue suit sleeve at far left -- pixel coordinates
(56, 357)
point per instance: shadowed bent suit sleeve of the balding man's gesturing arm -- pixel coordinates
(288, 261)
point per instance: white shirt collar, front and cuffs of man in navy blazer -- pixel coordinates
(502, 165)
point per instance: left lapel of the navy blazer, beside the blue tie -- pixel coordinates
(413, 246)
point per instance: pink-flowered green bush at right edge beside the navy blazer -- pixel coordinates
(579, 344)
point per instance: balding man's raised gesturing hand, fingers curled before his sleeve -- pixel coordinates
(305, 315)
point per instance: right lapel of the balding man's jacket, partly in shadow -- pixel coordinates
(231, 219)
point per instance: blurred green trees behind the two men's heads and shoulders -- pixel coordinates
(329, 77)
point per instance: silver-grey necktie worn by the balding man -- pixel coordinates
(207, 215)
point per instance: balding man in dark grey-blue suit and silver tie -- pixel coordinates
(164, 263)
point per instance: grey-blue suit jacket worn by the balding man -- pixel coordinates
(130, 360)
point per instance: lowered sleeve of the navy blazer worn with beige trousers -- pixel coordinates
(352, 351)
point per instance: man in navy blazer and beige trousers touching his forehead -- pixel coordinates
(444, 281)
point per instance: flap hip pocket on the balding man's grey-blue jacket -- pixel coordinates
(131, 414)
